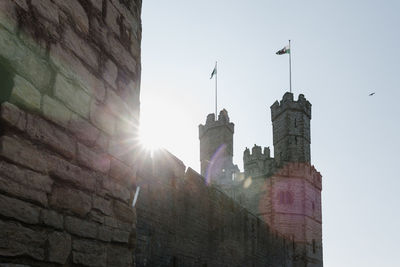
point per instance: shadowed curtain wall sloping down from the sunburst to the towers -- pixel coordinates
(182, 221)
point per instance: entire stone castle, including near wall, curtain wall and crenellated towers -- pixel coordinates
(77, 190)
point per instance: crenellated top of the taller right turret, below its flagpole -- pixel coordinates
(287, 102)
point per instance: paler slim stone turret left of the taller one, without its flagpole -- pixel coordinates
(216, 149)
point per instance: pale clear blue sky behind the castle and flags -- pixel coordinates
(341, 52)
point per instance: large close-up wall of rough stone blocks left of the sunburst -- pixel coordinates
(69, 83)
